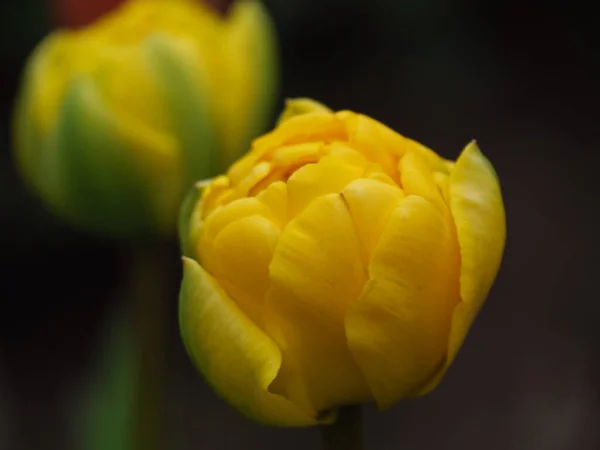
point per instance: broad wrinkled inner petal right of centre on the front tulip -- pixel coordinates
(397, 330)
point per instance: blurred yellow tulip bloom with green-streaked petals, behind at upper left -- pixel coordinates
(116, 121)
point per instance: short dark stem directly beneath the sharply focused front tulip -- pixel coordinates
(347, 432)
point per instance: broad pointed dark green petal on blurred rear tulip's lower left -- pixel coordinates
(100, 181)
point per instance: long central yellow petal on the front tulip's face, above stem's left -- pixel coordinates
(316, 271)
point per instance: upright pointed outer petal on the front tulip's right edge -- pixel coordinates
(478, 211)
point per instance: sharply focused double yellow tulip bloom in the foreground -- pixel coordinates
(337, 263)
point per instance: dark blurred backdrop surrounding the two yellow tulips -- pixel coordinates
(521, 78)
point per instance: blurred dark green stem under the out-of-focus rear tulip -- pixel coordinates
(150, 290)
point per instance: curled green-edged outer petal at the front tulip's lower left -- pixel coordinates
(237, 358)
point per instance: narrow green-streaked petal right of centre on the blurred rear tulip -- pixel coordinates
(179, 69)
